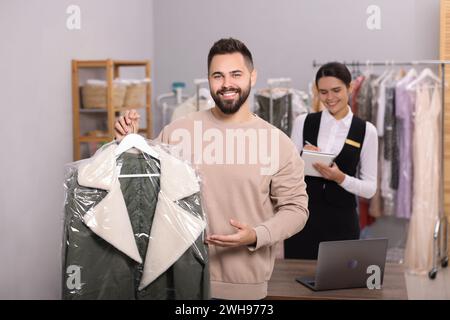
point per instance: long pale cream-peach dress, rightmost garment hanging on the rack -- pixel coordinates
(419, 248)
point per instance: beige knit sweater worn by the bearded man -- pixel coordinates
(250, 172)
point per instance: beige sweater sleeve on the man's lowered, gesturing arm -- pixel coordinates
(290, 202)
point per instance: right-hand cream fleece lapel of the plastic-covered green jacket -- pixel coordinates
(174, 229)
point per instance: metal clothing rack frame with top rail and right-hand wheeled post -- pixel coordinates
(439, 235)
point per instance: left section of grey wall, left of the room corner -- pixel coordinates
(36, 130)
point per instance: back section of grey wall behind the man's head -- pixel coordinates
(285, 36)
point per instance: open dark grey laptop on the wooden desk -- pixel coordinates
(344, 264)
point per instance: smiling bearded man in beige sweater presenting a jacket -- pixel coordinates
(253, 188)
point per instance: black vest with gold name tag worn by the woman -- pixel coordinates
(324, 191)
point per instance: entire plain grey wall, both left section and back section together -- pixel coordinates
(35, 95)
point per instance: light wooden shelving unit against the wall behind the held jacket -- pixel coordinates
(112, 68)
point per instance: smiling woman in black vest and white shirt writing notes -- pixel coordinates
(332, 197)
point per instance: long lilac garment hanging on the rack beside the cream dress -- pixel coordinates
(404, 108)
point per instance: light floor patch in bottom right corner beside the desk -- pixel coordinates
(423, 288)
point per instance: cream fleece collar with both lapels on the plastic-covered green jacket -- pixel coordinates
(174, 229)
